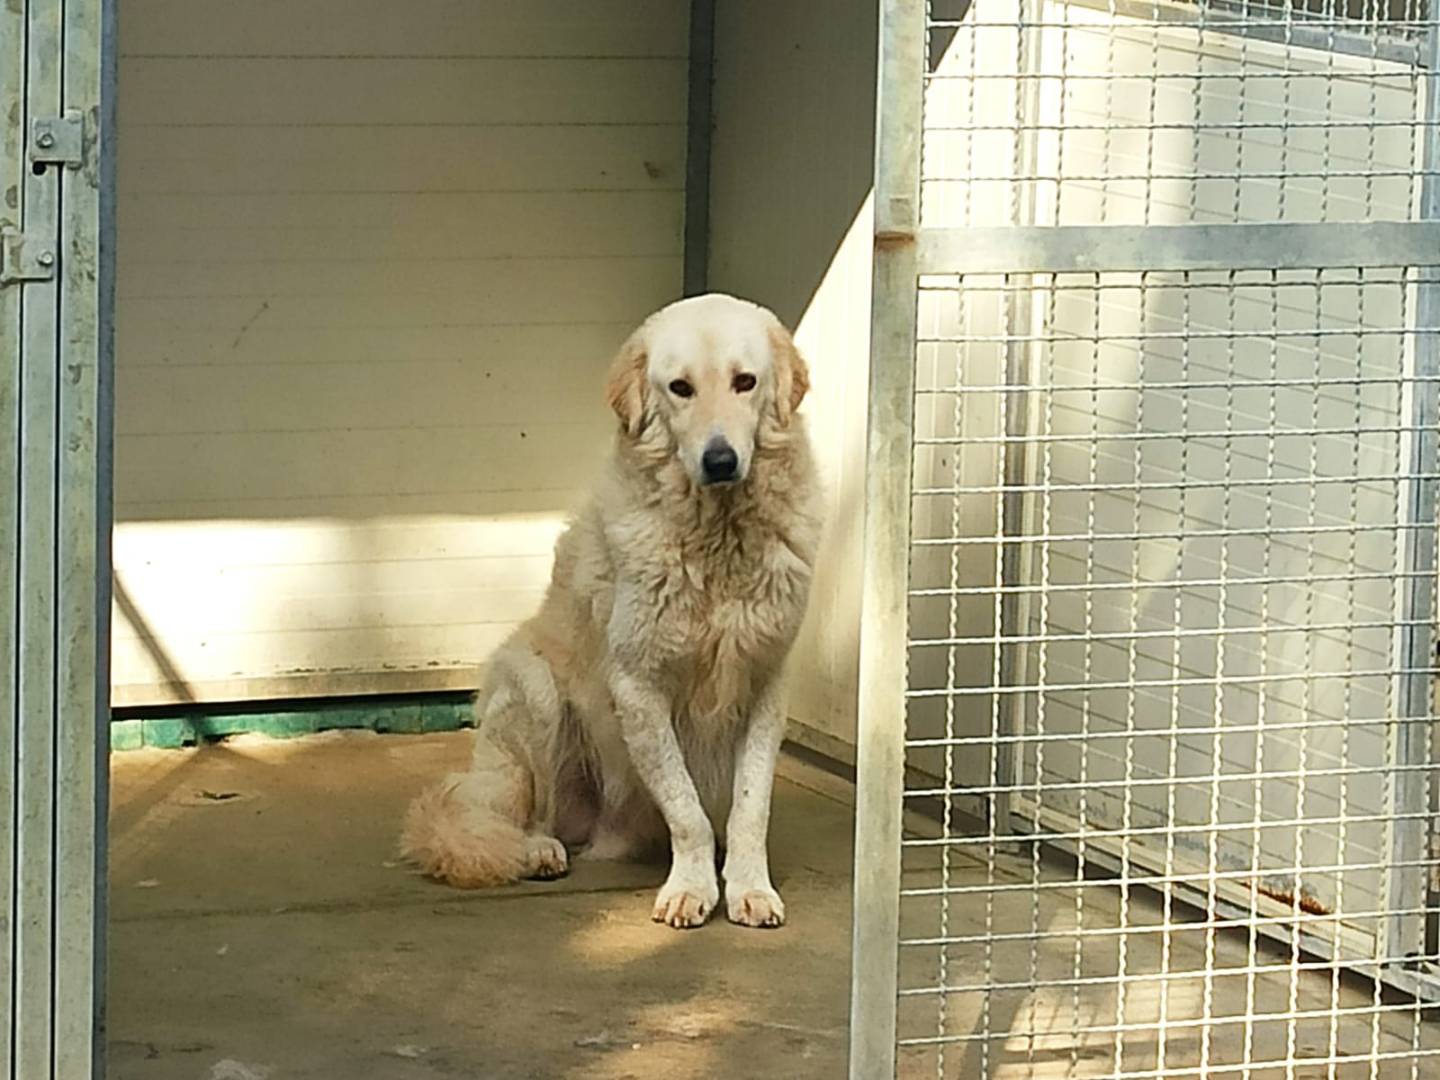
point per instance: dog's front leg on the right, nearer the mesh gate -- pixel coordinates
(751, 899)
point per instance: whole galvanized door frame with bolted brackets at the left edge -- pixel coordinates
(57, 303)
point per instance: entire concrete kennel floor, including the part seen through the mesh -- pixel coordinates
(261, 930)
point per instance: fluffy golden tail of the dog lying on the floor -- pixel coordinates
(453, 834)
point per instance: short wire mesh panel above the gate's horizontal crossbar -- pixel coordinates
(1151, 113)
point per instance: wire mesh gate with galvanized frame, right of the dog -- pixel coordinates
(1147, 747)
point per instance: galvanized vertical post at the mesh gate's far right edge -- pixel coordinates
(1415, 787)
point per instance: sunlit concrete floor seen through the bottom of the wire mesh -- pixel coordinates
(1045, 999)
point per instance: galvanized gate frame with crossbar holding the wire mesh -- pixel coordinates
(904, 253)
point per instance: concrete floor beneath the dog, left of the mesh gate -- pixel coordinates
(261, 930)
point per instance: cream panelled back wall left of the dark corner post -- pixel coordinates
(374, 261)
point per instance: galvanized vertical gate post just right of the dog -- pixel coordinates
(882, 709)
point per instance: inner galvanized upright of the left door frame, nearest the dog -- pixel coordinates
(86, 466)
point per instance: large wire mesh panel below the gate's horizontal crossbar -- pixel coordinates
(1160, 683)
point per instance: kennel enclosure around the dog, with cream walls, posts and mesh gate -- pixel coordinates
(1146, 768)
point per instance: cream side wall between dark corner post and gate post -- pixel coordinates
(790, 217)
